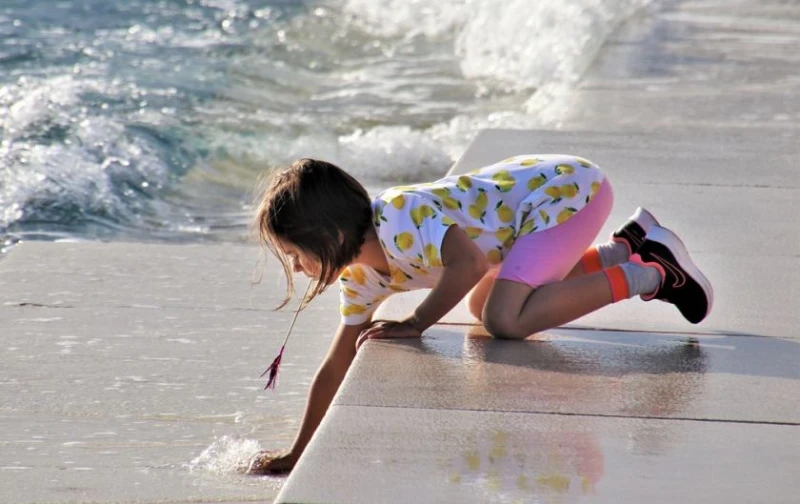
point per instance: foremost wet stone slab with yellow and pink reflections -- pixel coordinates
(394, 455)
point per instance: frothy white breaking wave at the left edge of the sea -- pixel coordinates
(82, 173)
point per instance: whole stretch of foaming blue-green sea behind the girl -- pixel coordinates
(151, 119)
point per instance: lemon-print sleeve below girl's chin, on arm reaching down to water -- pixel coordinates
(360, 294)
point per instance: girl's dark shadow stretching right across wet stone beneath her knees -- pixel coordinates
(610, 353)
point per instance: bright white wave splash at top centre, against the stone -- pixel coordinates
(514, 44)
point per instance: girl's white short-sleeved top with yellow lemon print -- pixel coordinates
(494, 205)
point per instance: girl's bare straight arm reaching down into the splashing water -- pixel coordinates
(324, 386)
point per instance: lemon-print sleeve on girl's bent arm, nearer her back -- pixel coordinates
(413, 228)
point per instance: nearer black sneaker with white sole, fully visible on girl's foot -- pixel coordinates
(682, 282)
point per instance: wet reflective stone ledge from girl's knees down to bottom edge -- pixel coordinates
(605, 417)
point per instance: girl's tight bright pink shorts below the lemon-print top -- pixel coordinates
(548, 256)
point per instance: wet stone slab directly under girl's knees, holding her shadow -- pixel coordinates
(584, 372)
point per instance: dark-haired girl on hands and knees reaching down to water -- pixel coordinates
(513, 237)
